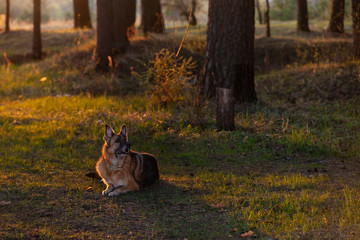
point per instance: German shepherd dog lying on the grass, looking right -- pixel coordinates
(122, 169)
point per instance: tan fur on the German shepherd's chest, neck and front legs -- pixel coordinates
(117, 174)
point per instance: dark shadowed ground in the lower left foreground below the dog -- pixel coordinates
(162, 211)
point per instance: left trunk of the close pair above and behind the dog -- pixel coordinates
(104, 29)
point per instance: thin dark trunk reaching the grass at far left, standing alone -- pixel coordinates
(37, 47)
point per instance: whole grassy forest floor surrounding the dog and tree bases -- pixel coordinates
(291, 170)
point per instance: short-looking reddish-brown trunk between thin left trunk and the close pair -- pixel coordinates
(82, 14)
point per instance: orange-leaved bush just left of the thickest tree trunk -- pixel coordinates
(170, 82)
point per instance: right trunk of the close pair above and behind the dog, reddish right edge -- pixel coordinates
(123, 22)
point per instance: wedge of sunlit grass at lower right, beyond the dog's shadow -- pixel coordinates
(273, 203)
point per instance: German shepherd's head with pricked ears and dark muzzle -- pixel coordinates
(117, 143)
